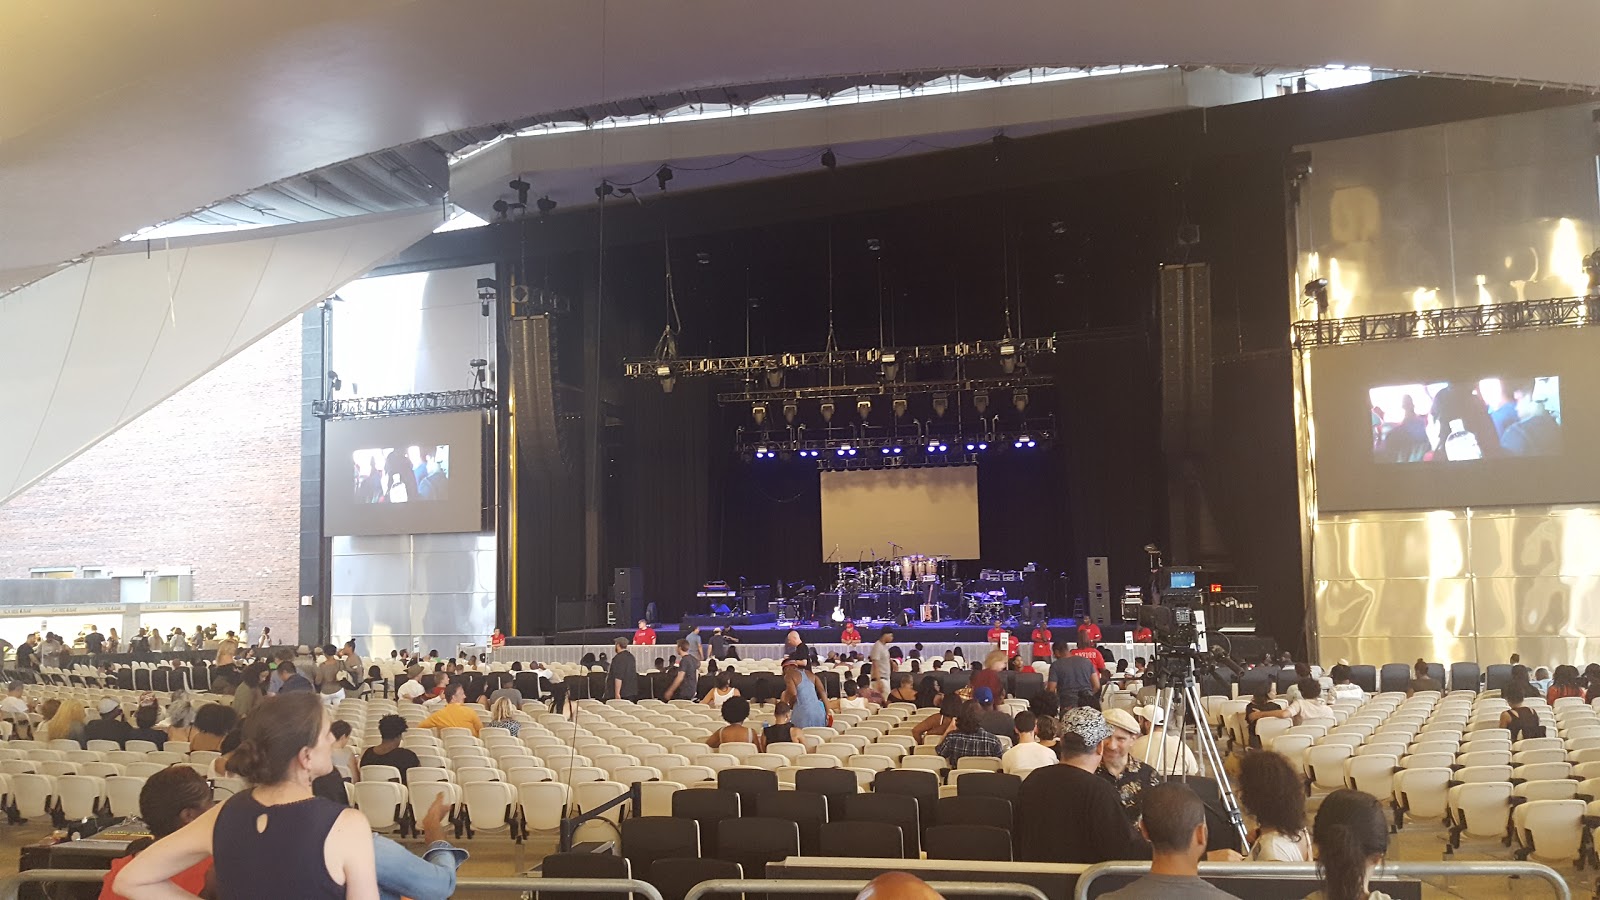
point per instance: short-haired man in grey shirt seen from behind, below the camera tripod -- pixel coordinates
(1177, 830)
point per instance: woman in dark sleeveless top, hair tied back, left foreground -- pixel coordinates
(255, 834)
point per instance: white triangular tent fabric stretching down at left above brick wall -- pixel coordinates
(92, 347)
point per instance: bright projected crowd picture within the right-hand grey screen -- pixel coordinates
(1466, 420)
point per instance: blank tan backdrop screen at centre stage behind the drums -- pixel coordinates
(921, 512)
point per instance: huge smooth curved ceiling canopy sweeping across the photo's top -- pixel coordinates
(118, 116)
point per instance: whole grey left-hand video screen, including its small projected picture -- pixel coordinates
(404, 475)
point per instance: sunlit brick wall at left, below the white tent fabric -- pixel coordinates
(207, 480)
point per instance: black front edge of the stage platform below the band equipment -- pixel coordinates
(774, 633)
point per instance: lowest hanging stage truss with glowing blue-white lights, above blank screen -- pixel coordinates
(868, 448)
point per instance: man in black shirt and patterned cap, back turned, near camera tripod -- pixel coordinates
(1082, 819)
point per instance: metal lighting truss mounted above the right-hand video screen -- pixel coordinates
(1558, 313)
